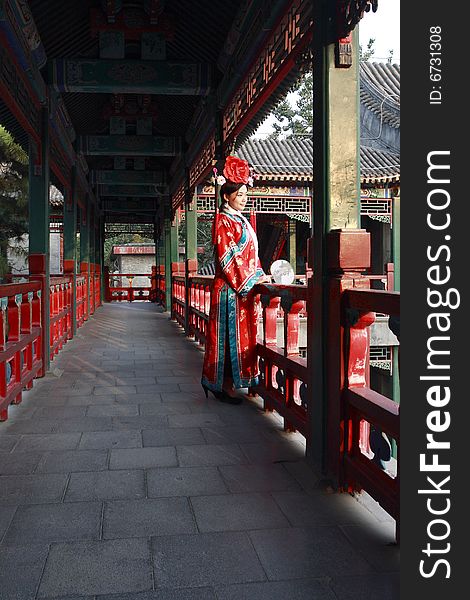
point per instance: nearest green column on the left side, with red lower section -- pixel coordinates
(39, 249)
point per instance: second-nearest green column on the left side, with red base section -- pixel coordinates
(70, 241)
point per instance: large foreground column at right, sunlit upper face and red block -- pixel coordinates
(337, 245)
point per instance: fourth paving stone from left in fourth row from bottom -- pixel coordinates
(258, 478)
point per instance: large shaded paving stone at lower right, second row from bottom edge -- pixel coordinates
(307, 552)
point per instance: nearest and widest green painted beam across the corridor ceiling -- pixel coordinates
(129, 76)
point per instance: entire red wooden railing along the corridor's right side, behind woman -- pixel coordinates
(366, 414)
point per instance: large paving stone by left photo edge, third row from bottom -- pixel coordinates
(54, 523)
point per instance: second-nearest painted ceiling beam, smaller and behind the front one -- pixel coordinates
(125, 145)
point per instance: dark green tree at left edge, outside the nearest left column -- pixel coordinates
(13, 194)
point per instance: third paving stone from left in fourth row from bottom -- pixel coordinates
(184, 482)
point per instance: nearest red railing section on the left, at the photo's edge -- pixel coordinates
(20, 341)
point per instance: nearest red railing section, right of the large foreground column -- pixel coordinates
(362, 469)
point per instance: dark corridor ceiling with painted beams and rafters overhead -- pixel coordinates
(141, 79)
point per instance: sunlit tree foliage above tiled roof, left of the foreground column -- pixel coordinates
(296, 119)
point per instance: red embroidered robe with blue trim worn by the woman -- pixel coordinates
(232, 308)
